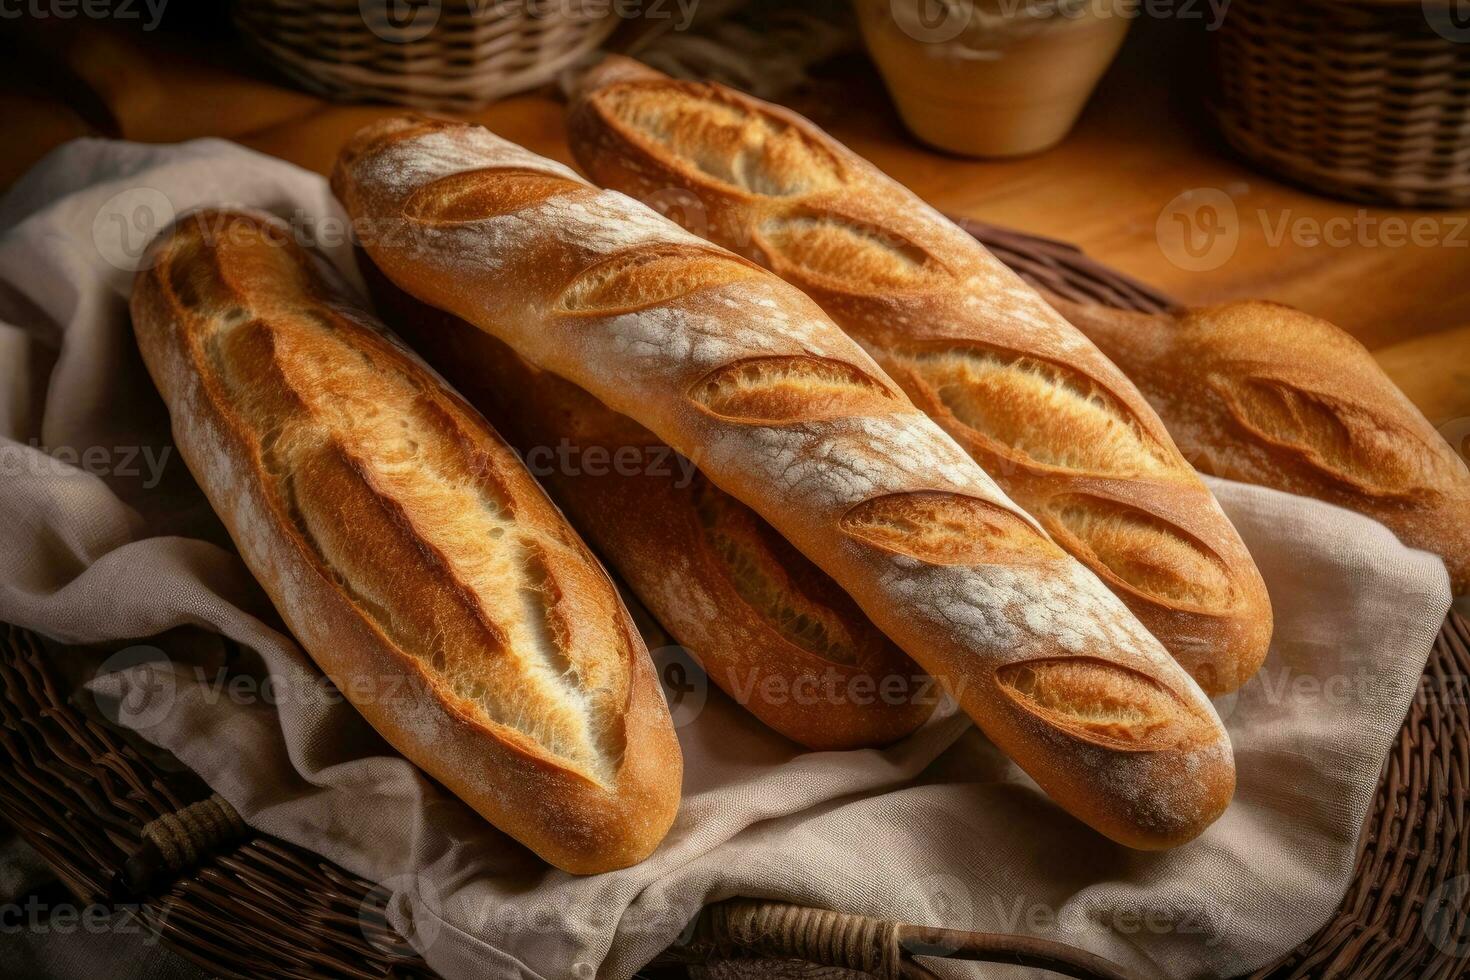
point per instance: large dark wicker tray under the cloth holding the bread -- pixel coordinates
(118, 829)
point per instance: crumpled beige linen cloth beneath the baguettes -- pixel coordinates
(104, 537)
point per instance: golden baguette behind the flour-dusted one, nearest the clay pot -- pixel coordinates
(1041, 409)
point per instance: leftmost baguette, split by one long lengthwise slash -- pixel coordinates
(406, 547)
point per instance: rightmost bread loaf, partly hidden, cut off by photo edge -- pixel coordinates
(1266, 394)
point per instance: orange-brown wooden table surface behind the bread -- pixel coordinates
(1141, 167)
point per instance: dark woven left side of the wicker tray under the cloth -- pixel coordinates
(86, 800)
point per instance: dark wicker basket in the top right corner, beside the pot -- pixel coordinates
(1360, 99)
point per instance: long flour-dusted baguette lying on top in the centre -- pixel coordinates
(747, 377)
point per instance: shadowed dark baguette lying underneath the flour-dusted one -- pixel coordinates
(768, 627)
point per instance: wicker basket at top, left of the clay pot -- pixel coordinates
(451, 55)
